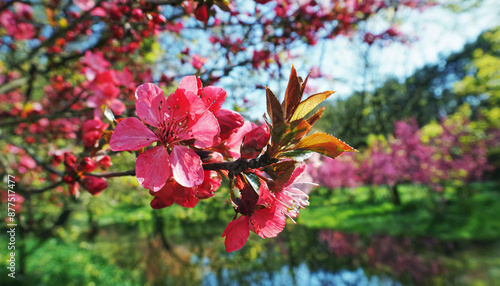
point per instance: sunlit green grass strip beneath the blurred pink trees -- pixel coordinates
(459, 217)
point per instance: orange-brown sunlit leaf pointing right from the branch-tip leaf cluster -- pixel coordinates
(324, 144)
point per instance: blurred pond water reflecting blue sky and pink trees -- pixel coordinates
(303, 256)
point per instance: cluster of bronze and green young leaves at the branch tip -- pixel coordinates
(289, 127)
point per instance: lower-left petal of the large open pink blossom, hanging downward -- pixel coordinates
(152, 168)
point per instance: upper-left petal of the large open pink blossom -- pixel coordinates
(151, 104)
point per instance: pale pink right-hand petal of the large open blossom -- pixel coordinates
(205, 130)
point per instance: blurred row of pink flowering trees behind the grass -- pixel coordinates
(407, 158)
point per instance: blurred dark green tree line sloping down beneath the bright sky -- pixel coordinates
(471, 76)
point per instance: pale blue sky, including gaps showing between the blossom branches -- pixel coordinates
(436, 32)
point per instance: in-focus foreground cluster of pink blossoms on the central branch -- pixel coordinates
(189, 129)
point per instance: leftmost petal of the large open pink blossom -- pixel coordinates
(131, 134)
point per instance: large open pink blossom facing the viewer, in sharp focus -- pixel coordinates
(180, 121)
